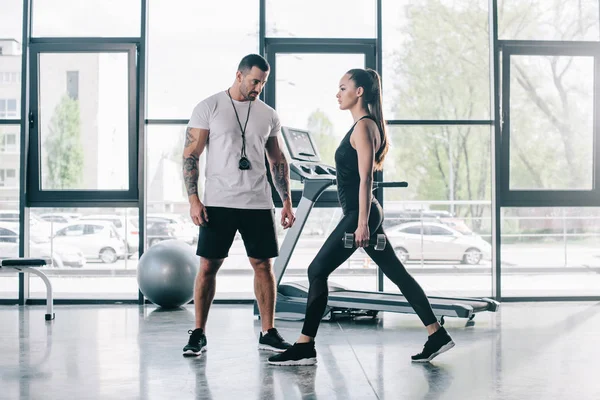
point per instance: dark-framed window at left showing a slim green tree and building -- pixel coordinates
(85, 140)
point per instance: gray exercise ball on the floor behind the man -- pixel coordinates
(166, 273)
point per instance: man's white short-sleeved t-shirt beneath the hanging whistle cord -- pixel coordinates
(226, 185)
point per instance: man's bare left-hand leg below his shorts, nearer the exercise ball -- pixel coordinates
(204, 289)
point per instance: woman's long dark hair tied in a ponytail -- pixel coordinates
(369, 80)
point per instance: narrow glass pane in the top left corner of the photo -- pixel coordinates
(11, 33)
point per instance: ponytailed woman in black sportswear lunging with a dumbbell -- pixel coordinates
(359, 154)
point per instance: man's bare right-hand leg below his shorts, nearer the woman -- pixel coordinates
(264, 289)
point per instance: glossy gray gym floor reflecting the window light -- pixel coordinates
(525, 351)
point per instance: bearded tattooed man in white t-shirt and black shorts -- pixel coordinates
(236, 127)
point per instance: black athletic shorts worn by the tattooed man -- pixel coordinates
(257, 228)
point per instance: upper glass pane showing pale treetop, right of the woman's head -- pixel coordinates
(436, 59)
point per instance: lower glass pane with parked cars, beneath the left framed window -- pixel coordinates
(91, 258)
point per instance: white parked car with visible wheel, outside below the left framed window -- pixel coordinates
(96, 239)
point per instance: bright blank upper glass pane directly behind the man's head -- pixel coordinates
(193, 54)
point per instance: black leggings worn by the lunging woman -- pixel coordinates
(333, 254)
